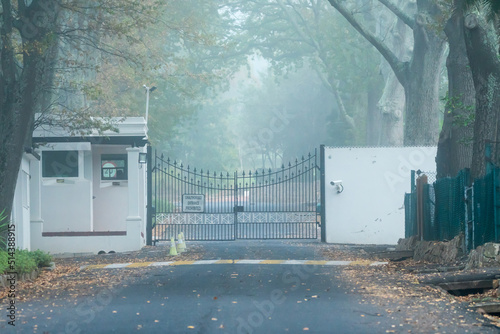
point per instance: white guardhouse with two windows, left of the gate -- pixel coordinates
(84, 194)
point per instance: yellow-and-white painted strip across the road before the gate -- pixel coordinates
(212, 262)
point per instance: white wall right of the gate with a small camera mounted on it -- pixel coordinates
(370, 209)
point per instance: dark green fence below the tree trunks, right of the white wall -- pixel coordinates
(450, 208)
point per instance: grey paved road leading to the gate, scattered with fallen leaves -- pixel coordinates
(224, 298)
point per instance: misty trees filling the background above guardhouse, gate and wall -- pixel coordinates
(253, 83)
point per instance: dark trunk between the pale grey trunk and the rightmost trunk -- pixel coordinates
(455, 141)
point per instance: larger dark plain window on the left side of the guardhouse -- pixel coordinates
(59, 163)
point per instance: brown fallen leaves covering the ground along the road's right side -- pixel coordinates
(413, 307)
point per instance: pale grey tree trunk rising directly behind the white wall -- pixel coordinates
(422, 78)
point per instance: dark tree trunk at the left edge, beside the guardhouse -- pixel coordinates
(20, 88)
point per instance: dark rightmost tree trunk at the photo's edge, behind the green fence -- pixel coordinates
(485, 67)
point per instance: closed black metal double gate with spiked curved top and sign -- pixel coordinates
(265, 204)
